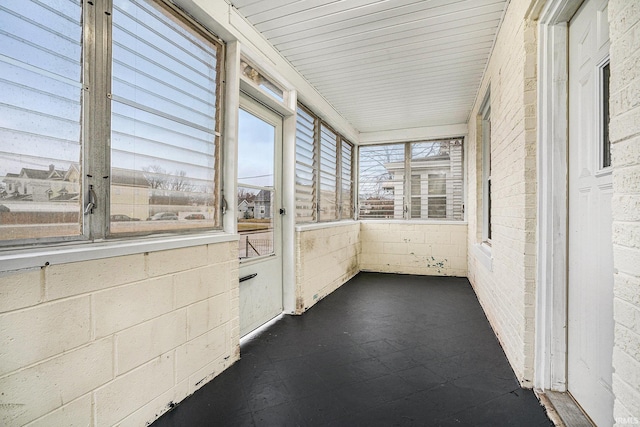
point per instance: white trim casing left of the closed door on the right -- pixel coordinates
(550, 371)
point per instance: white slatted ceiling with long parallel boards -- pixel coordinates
(385, 64)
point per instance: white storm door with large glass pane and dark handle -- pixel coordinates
(259, 220)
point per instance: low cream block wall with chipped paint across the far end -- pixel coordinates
(414, 248)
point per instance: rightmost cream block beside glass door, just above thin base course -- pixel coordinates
(202, 350)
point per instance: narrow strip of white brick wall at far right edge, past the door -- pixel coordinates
(624, 18)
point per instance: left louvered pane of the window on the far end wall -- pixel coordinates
(380, 191)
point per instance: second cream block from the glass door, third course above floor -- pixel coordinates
(148, 340)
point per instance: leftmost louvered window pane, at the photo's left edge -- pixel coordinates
(41, 123)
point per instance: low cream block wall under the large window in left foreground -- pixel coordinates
(115, 341)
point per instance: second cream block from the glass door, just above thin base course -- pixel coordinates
(129, 392)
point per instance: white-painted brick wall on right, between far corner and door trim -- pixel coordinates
(507, 289)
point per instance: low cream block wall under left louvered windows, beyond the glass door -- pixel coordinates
(327, 256)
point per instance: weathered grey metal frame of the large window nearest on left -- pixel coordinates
(95, 144)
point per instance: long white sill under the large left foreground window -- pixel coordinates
(85, 251)
